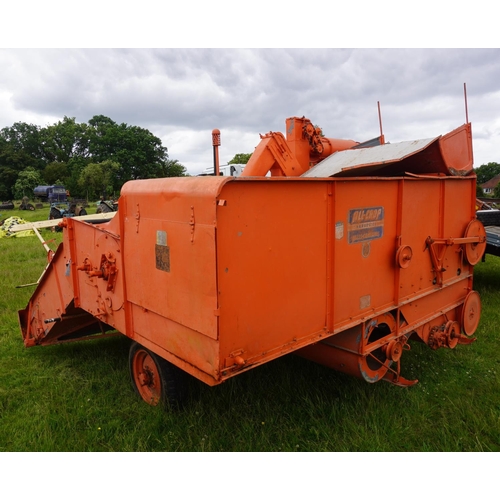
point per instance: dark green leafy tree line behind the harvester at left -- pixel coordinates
(90, 159)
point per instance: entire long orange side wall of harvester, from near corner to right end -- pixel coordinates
(324, 249)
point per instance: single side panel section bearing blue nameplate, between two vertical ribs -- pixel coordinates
(365, 247)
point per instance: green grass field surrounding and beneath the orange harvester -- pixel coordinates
(78, 397)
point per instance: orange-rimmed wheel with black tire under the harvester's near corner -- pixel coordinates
(154, 379)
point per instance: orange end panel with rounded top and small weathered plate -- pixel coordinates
(169, 247)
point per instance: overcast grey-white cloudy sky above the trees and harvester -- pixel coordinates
(180, 95)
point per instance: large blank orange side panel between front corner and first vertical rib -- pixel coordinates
(271, 253)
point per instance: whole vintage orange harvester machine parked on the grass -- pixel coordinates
(343, 255)
